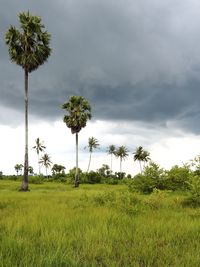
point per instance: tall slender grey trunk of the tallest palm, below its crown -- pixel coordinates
(24, 186)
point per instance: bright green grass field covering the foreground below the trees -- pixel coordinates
(57, 225)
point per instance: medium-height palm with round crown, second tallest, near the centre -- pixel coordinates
(78, 113)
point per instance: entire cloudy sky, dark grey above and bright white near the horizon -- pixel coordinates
(136, 61)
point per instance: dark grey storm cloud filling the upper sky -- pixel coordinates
(133, 60)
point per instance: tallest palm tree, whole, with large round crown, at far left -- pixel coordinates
(28, 48)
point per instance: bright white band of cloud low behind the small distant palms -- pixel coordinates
(166, 147)
